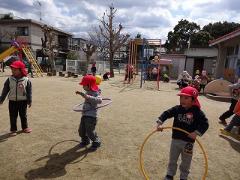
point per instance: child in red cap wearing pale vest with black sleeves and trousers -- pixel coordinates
(19, 90)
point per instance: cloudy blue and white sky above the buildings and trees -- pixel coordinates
(151, 18)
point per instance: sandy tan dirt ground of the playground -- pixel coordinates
(51, 151)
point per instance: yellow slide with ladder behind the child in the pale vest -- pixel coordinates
(22, 47)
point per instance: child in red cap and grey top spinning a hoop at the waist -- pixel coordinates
(89, 114)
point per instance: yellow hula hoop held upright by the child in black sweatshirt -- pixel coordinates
(179, 129)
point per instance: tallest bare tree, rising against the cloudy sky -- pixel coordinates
(112, 35)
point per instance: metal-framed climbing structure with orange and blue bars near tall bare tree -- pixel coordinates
(140, 51)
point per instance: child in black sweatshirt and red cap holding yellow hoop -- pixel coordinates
(190, 118)
